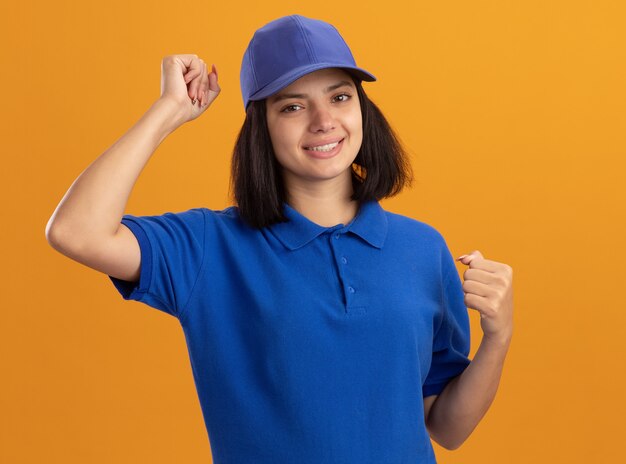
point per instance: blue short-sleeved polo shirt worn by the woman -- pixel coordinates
(308, 344)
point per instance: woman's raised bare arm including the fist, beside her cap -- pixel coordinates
(86, 225)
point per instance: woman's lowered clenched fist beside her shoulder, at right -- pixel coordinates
(488, 287)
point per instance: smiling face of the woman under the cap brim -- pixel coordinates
(316, 127)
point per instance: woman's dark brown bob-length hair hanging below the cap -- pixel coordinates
(381, 168)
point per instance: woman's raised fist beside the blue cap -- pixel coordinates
(185, 81)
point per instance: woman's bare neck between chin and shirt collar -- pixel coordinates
(325, 203)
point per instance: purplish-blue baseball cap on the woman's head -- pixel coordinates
(286, 49)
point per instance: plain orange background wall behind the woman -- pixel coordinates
(514, 115)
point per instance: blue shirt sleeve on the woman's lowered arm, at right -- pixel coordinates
(451, 343)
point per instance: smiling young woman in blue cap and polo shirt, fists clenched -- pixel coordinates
(320, 327)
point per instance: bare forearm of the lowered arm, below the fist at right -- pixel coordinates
(465, 400)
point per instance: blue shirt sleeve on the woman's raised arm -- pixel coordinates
(172, 252)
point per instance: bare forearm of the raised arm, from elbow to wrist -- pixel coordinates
(96, 200)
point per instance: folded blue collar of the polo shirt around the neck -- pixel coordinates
(370, 224)
